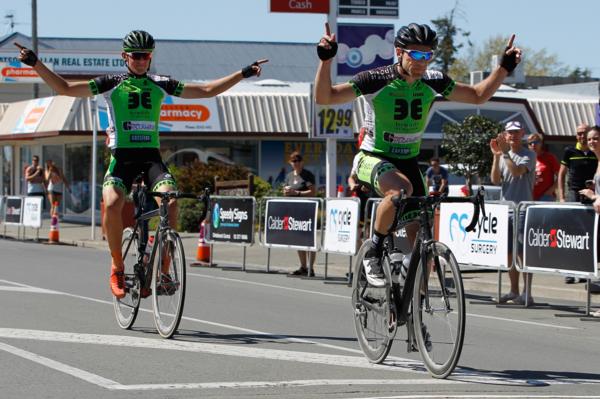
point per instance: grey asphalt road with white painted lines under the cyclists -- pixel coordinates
(256, 335)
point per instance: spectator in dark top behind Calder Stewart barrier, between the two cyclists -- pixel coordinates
(301, 183)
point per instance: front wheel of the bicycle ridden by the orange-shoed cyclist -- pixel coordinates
(168, 283)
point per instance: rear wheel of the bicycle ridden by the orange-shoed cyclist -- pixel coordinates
(126, 308)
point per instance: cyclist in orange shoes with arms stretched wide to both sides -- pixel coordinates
(134, 99)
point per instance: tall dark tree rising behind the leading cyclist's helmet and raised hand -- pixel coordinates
(445, 27)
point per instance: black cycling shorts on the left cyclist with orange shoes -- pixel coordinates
(128, 163)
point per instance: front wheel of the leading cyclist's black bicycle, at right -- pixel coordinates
(439, 310)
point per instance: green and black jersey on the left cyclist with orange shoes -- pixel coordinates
(134, 107)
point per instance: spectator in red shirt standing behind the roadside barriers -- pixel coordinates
(546, 169)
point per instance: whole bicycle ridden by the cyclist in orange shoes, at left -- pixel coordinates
(159, 273)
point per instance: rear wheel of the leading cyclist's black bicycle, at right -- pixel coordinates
(374, 312)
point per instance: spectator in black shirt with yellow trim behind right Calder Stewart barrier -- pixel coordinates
(579, 163)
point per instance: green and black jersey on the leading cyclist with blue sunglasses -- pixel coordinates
(396, 111)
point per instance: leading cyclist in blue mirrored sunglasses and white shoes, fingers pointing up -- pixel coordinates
(398, 99)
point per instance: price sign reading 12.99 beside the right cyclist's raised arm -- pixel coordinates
(333, 121)
